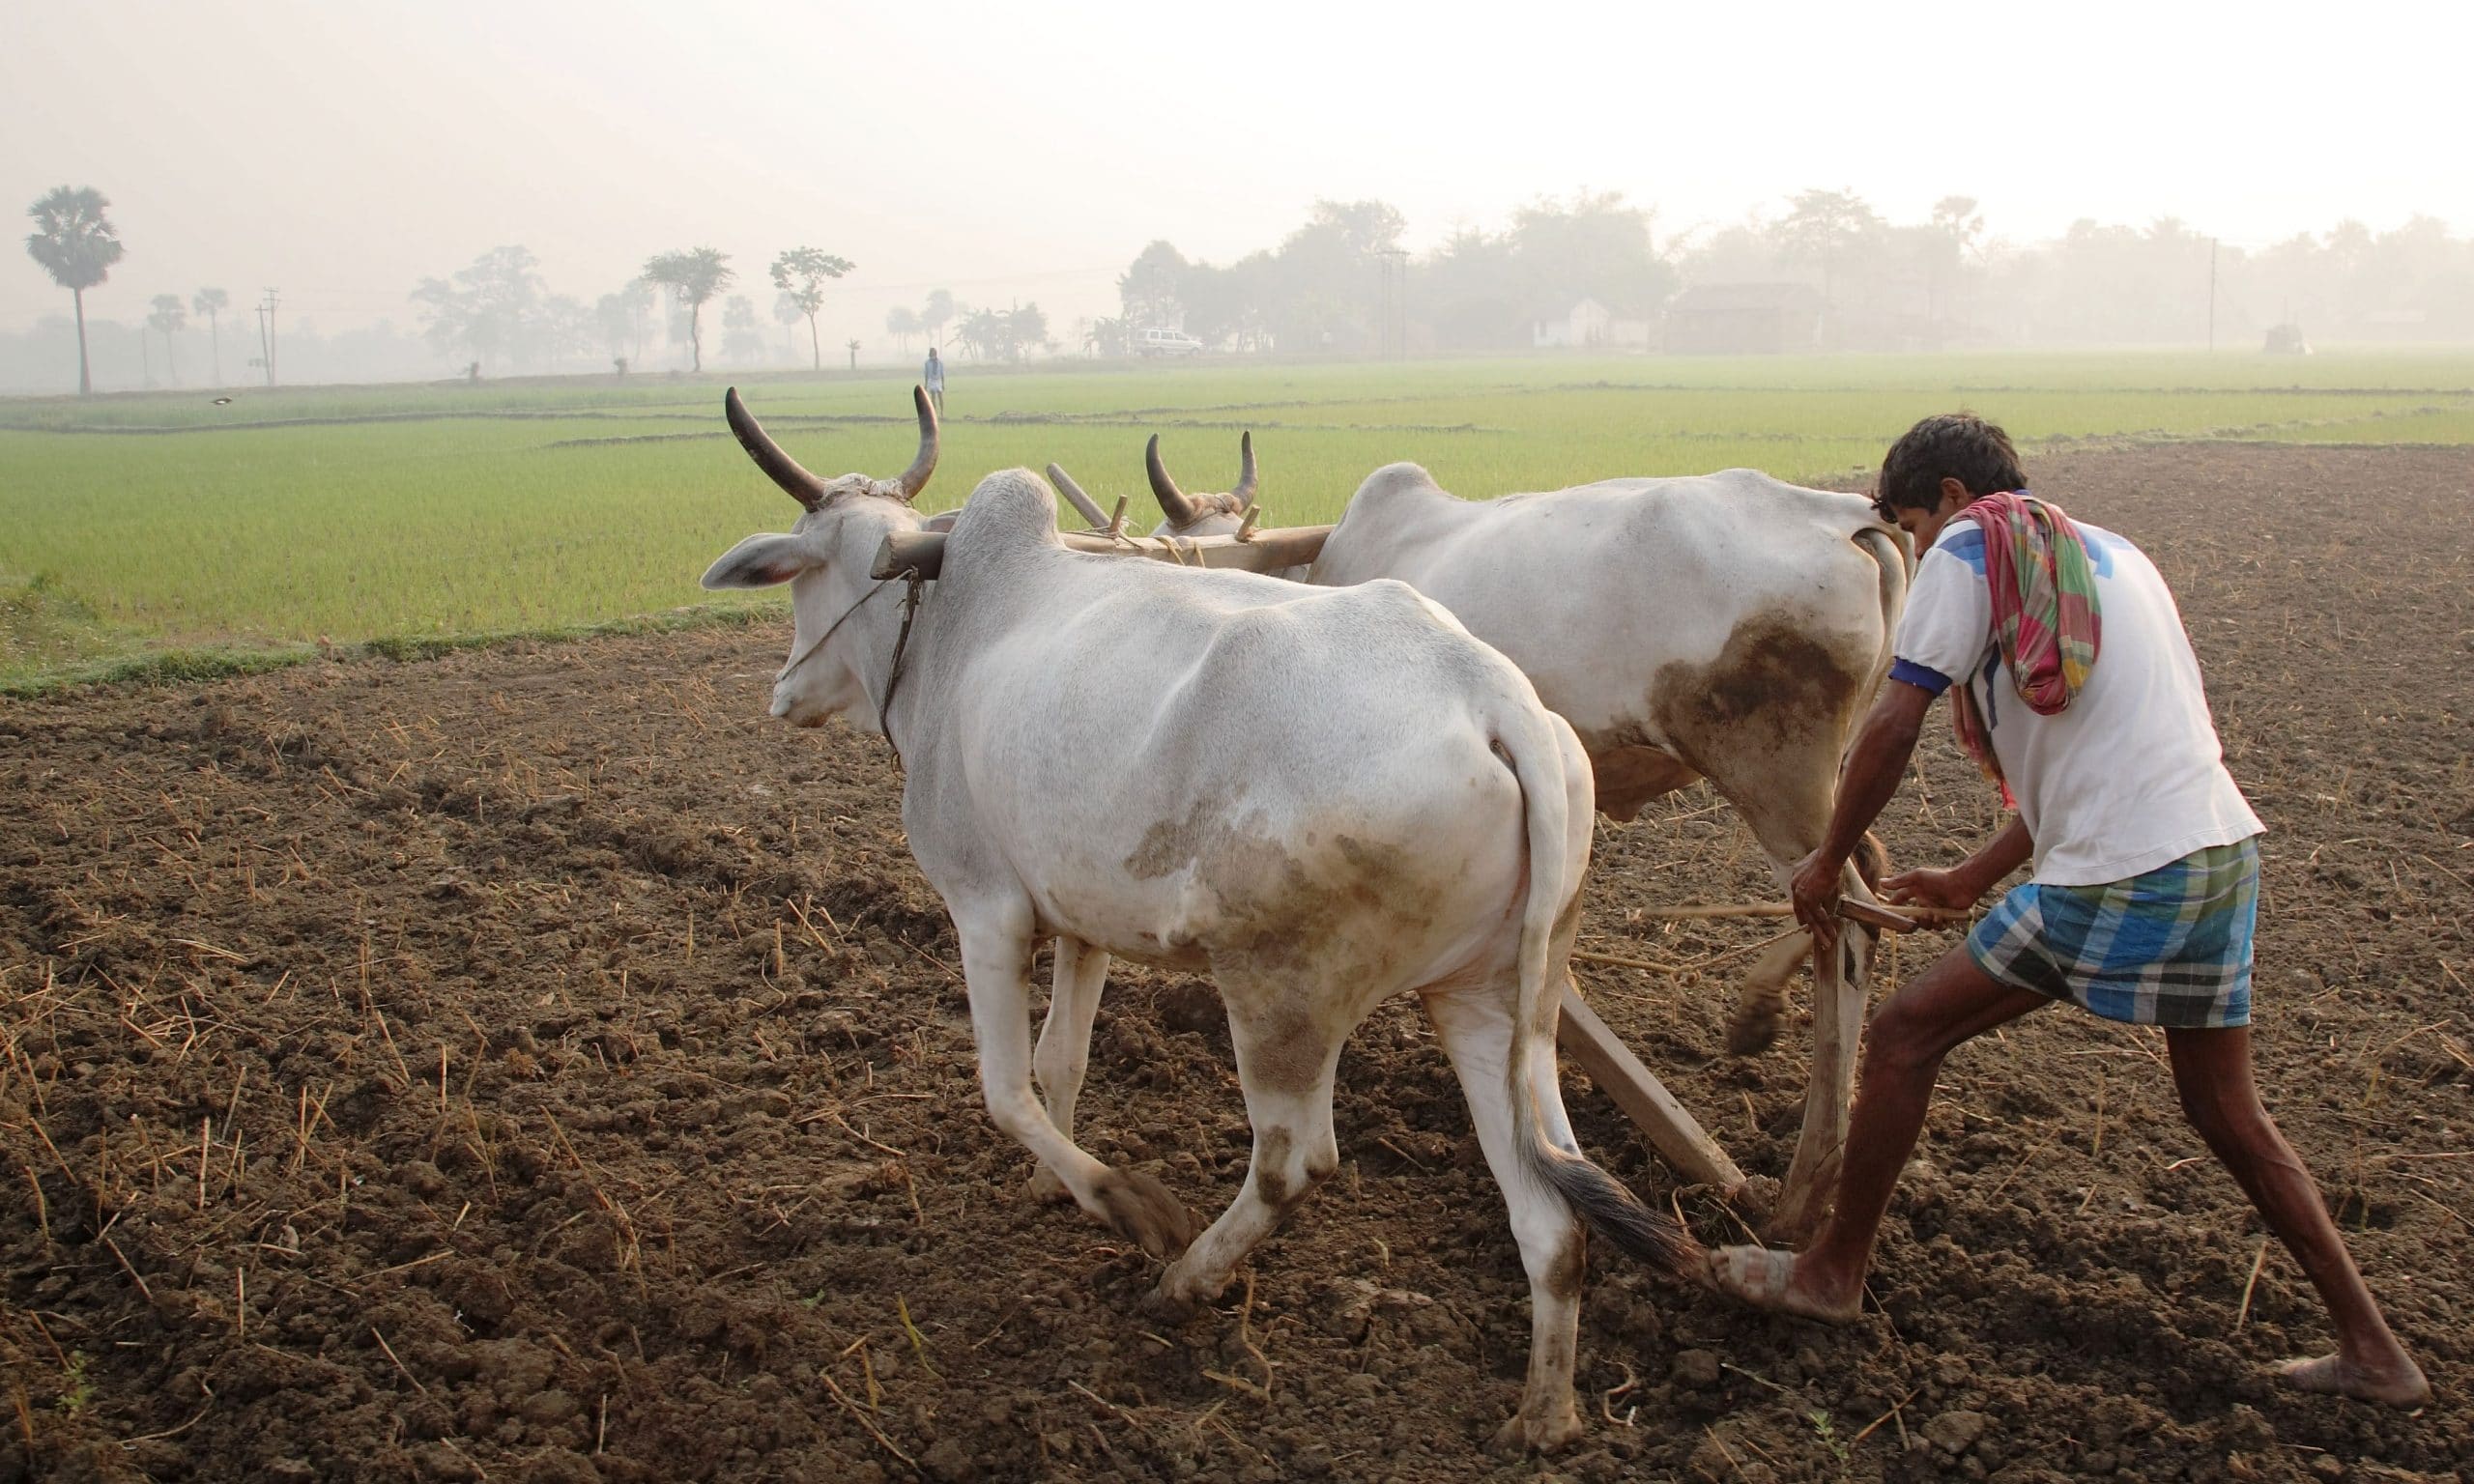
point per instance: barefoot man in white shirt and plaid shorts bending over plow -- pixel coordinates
(2077, 691)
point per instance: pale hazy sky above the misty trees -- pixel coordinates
(345, 150)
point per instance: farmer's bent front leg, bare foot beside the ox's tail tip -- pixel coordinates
(1901, 1057)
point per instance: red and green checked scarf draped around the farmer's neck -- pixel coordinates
(2045, 615)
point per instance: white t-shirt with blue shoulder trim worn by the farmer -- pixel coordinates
(2129, 775)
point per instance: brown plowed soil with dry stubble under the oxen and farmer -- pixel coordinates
(536, 1065)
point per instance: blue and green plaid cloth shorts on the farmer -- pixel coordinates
(2166, 949)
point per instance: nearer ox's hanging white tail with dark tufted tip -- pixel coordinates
(1557, 812)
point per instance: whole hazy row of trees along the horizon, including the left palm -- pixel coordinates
(1825, 273)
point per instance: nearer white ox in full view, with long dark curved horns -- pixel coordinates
(1409, 820)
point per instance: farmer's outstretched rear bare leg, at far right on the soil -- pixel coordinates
(2213, 1072)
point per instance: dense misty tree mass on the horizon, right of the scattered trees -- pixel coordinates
(1825, 273)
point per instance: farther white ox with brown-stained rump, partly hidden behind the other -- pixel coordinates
(1723, 627)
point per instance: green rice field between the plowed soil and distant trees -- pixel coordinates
(162, 528)
